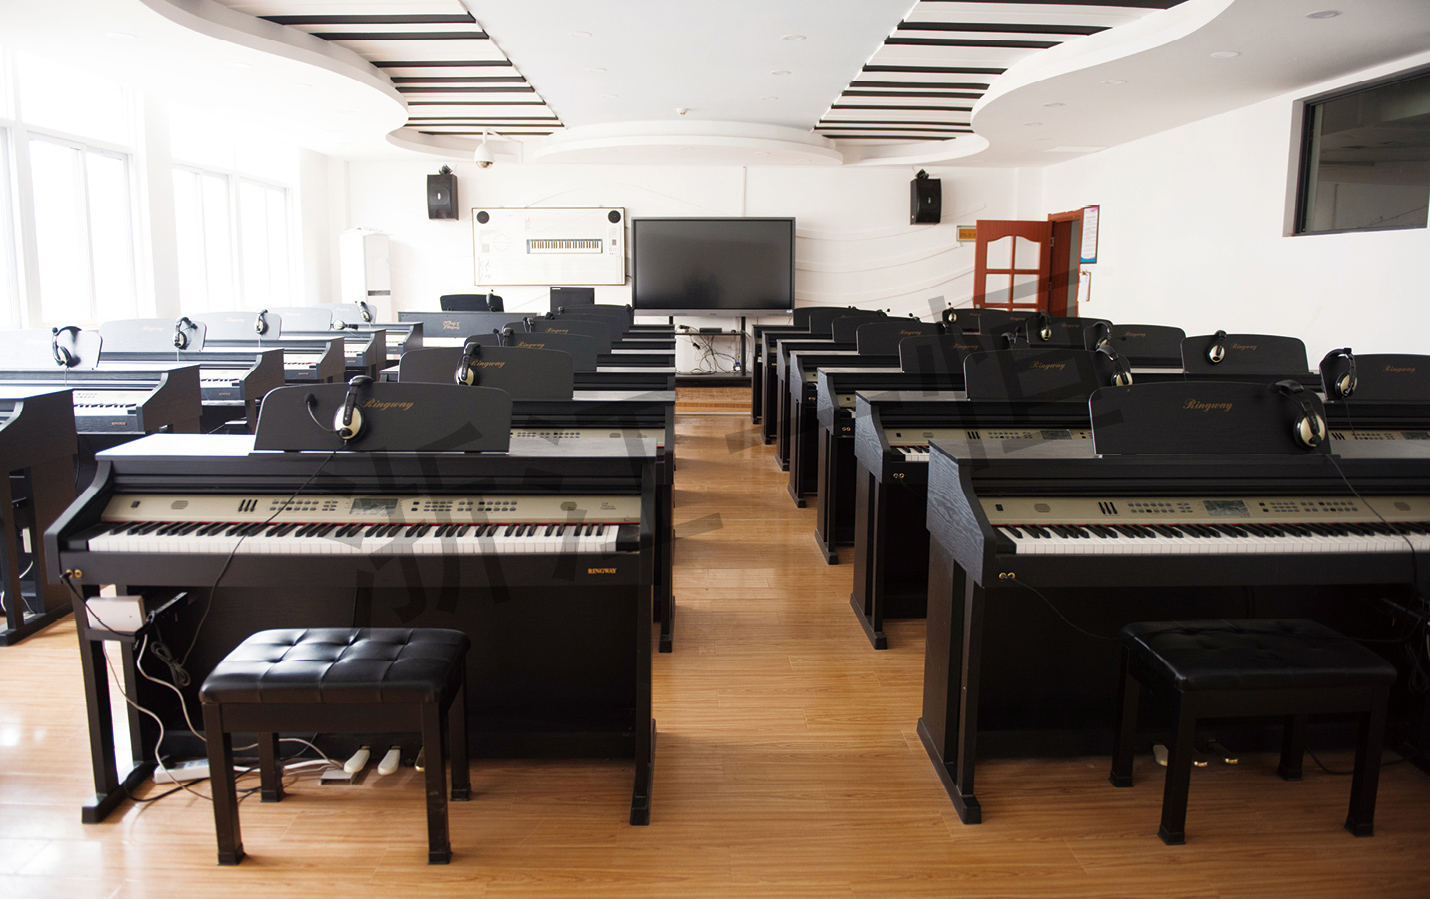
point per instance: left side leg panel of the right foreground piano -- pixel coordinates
(950, 724)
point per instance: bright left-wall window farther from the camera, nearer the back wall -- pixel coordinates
(234, 242)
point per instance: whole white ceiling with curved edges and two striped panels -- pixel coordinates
(744, 82)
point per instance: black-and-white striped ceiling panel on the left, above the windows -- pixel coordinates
(455, 79)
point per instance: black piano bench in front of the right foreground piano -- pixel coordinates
(1219, 668)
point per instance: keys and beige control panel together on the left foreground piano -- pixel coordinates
(368, 525)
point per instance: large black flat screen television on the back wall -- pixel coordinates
(713, 267)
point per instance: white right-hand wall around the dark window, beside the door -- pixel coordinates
(1195, 234)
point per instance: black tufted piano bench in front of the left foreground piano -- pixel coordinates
(338, 681)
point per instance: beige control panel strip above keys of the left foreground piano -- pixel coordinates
(514, 510)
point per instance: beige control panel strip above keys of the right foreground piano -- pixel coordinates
(1206, 511)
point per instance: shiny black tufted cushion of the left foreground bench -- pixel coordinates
(327, 665)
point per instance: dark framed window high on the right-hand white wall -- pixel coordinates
(1366, 158)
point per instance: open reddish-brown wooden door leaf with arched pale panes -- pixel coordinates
(1013, 265)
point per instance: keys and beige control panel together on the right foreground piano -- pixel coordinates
(1210, 527)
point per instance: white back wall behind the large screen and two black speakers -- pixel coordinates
(854, 242)
